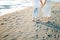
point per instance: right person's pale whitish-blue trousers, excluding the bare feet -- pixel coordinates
(47, 10)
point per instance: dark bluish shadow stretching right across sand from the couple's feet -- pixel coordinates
(49, 24)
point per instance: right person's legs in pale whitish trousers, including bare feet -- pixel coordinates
(46, 12)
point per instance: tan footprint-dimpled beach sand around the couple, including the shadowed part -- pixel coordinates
(18, 25)
